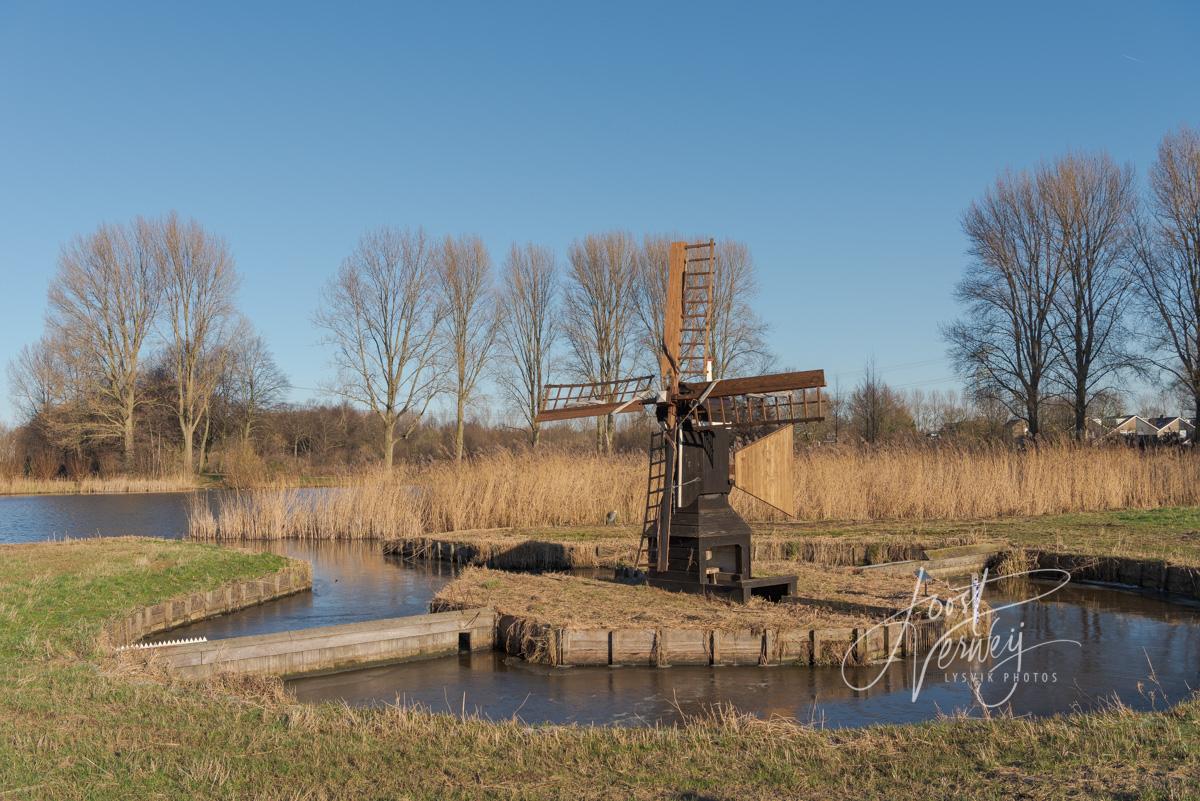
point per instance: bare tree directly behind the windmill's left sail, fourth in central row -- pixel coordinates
(599, 306)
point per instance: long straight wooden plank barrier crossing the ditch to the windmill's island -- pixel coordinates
(329, 649)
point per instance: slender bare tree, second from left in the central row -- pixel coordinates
(465, 280)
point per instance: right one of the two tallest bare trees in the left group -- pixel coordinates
(199, 279)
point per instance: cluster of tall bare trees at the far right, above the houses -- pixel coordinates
(1079, 281)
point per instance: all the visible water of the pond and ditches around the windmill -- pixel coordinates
(1136, 647)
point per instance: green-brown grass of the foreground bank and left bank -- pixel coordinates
(73, 727)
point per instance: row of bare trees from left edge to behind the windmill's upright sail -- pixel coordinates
(148, 366)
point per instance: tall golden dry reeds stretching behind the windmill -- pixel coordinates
(571, 490)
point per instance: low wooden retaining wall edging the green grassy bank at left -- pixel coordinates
(296, 577)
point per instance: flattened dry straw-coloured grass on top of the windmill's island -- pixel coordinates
(562, 600)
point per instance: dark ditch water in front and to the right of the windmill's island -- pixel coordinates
(1121, 634)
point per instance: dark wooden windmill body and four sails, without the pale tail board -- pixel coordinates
(692, 539)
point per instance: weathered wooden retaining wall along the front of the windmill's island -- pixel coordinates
(562, 647)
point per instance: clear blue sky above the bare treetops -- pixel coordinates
(841, 143)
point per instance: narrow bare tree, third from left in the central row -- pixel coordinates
(529, 329)
